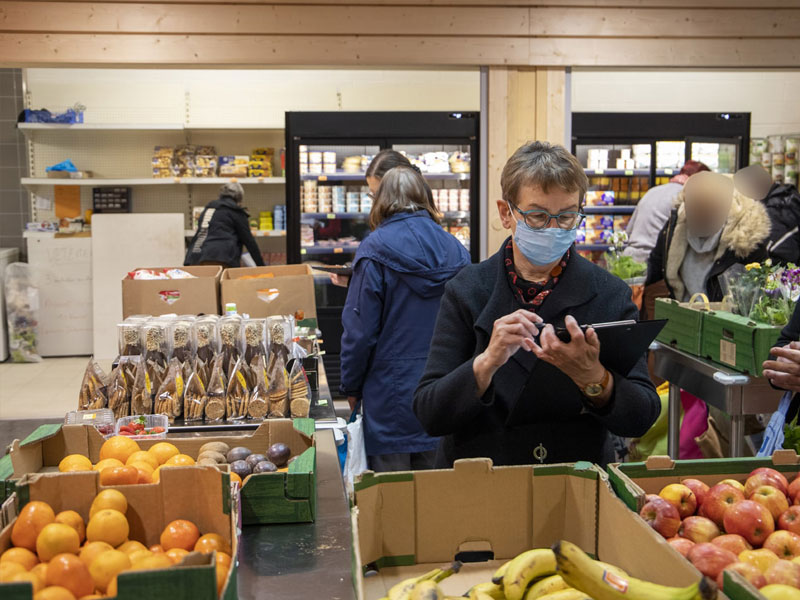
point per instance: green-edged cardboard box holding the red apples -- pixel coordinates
(632, 481)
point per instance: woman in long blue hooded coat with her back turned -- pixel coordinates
(399, 274)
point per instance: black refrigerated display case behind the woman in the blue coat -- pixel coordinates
(328, 201)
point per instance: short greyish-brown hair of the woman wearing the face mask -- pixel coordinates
(545, 166)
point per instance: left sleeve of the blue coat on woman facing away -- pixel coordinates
(361, 321)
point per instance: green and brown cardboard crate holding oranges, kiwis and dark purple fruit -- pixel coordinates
(288, 497)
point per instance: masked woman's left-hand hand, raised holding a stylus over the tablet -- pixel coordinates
(509, 334)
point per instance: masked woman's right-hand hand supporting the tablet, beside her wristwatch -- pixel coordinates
(579, 358)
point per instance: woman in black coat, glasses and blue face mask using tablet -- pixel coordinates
(490, 389)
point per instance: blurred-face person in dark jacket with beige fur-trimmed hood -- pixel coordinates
(712, 228)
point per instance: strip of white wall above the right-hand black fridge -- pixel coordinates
(773, 97)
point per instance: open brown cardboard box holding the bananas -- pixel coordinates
(409, 523)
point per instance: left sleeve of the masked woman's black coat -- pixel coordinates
(447, 398)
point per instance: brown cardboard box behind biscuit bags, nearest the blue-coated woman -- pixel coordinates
(290, 289)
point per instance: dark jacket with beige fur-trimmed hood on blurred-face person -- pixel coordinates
(743, 240)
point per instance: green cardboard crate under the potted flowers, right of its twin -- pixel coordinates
(738, 342)
